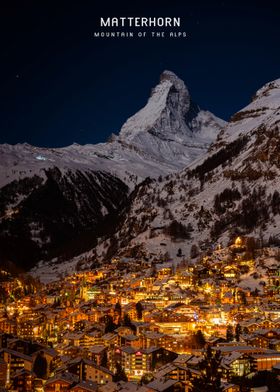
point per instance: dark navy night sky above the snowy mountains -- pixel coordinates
(60, 85)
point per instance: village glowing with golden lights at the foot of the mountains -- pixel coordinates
(135, 325)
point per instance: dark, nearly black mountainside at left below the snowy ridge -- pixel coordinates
(57, 214)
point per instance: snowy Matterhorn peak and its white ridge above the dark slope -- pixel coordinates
(166, 135)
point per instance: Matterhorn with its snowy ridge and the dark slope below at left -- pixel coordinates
(58, 201)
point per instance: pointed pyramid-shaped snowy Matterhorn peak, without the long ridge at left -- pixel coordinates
(171, 128)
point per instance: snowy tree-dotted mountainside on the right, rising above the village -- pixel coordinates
(231, 190)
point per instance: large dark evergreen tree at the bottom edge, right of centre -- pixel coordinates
(210, 376)
